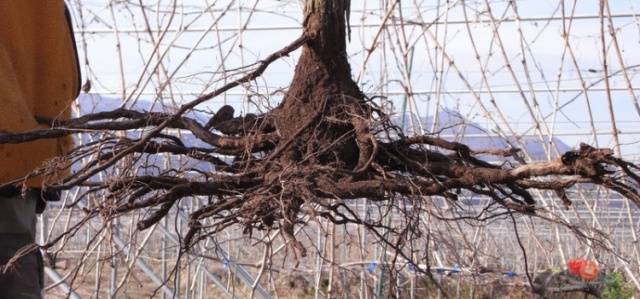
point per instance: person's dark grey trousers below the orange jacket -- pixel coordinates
(23, 278)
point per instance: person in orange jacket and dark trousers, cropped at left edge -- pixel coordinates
(39, 79)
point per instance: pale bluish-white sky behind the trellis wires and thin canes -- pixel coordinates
(405, 57)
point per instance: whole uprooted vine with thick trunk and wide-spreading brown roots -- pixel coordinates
(320, 147)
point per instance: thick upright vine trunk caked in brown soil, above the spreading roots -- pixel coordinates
(322, 85)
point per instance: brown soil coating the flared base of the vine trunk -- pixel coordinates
(321, 105)
